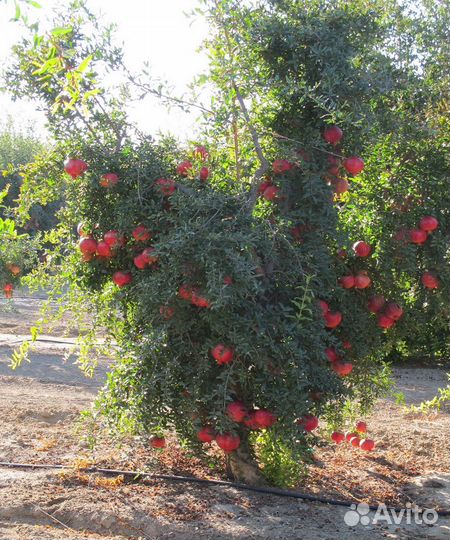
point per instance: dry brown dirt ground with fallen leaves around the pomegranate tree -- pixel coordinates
(39, 416)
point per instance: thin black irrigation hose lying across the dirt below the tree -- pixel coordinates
(136, 474)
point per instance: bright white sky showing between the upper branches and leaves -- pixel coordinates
(150, 30)
